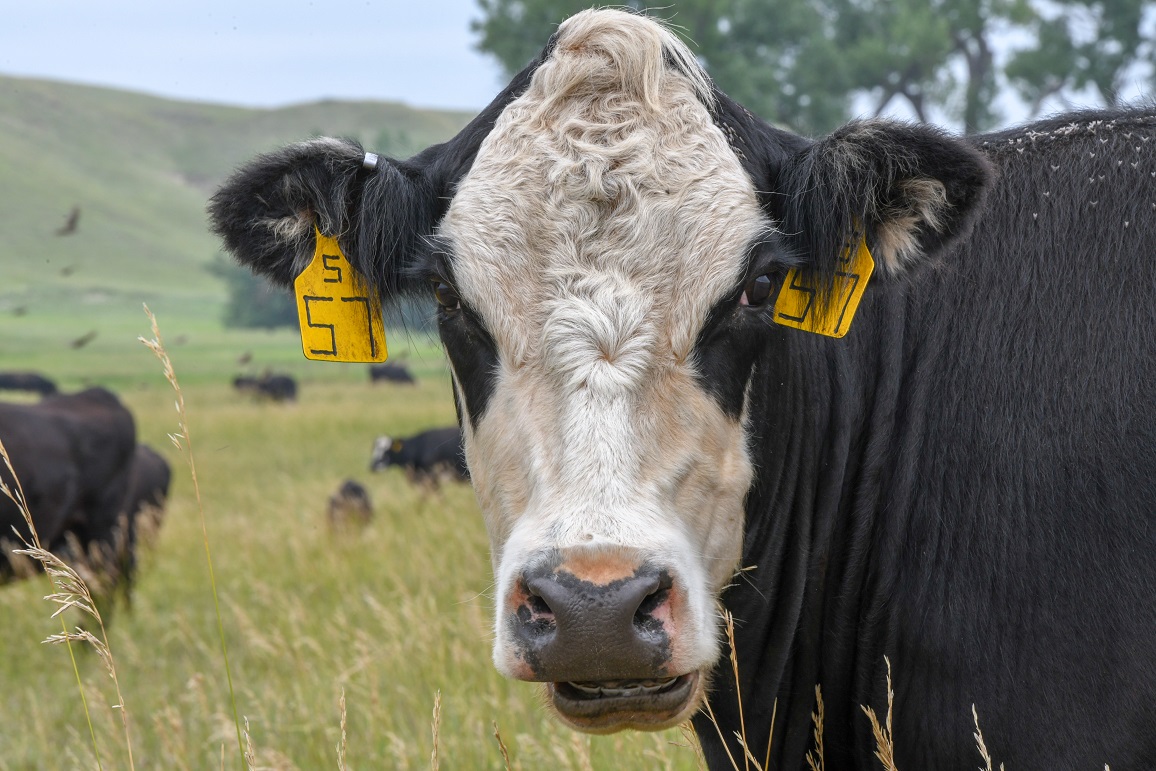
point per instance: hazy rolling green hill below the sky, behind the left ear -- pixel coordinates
(140, 169)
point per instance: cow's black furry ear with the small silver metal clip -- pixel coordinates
(266, 211)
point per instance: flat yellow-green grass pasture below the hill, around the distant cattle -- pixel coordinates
(392, 618)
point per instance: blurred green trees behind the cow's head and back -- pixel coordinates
(802, 63)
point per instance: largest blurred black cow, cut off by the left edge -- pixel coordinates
(75, 457)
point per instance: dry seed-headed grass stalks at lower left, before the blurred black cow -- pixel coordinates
(70, 592)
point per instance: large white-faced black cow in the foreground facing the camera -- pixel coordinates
(962, 487)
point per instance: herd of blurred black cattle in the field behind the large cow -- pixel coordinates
(93, 491)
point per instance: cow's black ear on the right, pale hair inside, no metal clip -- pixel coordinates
(912, 189)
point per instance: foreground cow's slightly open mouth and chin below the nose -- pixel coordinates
(613, 706)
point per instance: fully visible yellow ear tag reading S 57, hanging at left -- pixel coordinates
(340, 320)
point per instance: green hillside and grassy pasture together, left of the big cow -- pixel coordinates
(392, 618)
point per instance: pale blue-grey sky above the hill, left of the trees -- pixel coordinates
(257, 53)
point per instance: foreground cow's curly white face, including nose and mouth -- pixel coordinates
(603, 220)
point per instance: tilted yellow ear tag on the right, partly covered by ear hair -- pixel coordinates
(796, 305)
